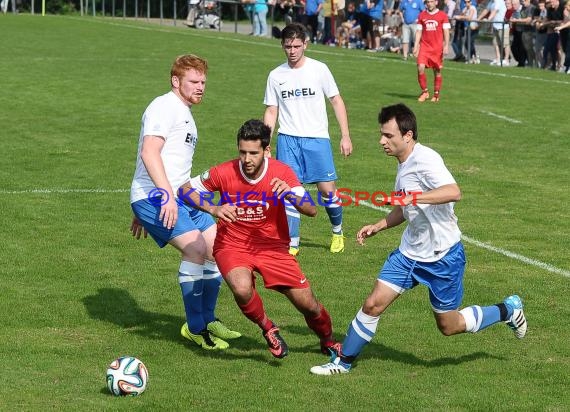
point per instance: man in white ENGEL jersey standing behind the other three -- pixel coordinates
(295, 93)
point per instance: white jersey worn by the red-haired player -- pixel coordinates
(166, 116)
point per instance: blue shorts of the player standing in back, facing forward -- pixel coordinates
(310, 158)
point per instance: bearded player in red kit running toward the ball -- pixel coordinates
(253, 235)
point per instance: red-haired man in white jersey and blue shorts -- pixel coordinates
(167, 141)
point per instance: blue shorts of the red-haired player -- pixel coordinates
(189, 219)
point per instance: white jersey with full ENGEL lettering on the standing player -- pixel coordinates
(300, 95)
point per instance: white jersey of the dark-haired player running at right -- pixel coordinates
(432, 229)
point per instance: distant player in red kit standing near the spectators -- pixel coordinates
(432, 43)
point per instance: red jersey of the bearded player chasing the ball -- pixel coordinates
(261, 220)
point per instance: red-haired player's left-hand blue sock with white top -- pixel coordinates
(192, 285)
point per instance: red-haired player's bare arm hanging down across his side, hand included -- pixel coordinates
(150, 155)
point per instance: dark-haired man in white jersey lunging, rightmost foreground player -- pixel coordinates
(430, 252)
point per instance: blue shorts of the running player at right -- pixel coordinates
(444, 277)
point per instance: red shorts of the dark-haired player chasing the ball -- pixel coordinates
(277, 268)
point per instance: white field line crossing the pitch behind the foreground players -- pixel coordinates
(532, 262)
